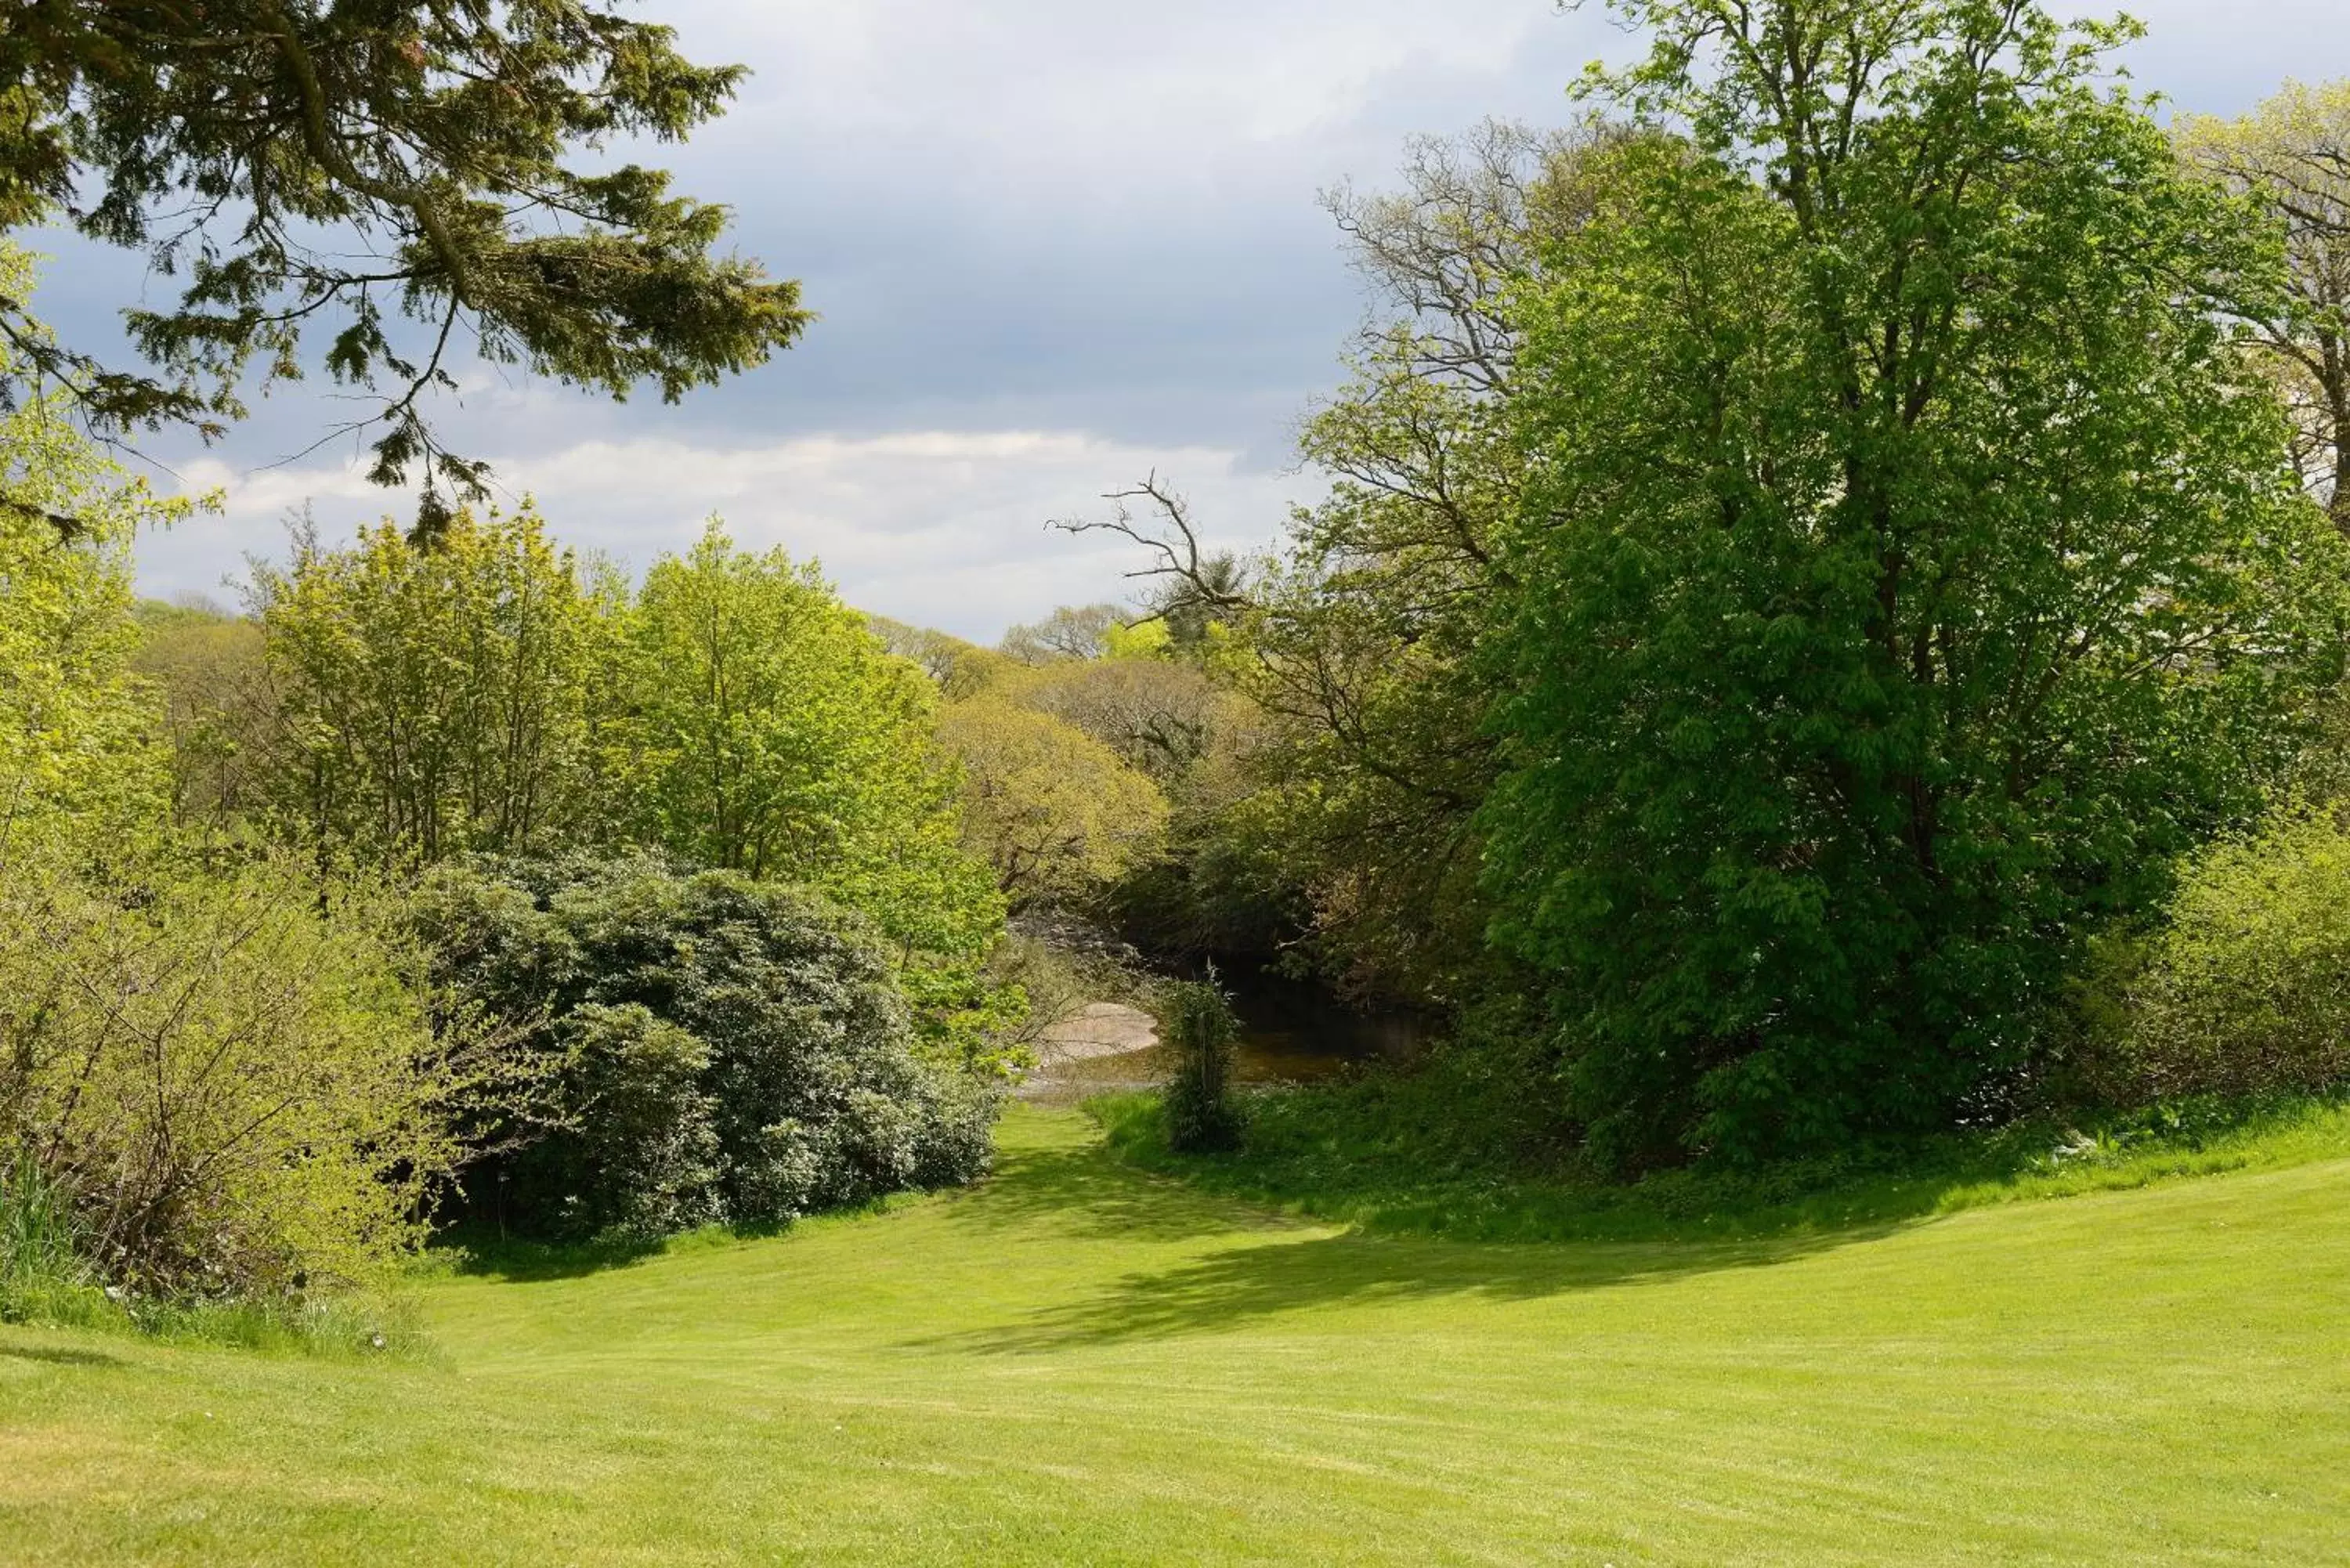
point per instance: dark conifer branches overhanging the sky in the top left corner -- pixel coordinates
(347, 166)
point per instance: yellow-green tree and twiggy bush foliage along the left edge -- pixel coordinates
(215, 1078)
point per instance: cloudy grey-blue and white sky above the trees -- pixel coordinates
(1054, 246)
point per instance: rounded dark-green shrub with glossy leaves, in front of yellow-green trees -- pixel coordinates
(723, 1050)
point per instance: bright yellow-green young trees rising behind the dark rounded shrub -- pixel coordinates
(492, 695)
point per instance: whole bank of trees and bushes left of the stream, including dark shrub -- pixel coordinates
(231, 1071)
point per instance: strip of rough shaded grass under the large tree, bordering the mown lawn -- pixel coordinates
(1388, 1153)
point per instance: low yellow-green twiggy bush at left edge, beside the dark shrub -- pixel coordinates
(215, 1083)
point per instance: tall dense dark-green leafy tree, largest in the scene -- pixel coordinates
(1909, 565)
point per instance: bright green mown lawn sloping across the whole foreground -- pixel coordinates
(1089, 1365)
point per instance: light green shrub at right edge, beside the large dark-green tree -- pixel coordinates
(2248, 989)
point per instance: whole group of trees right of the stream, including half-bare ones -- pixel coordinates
(1832, 561)
